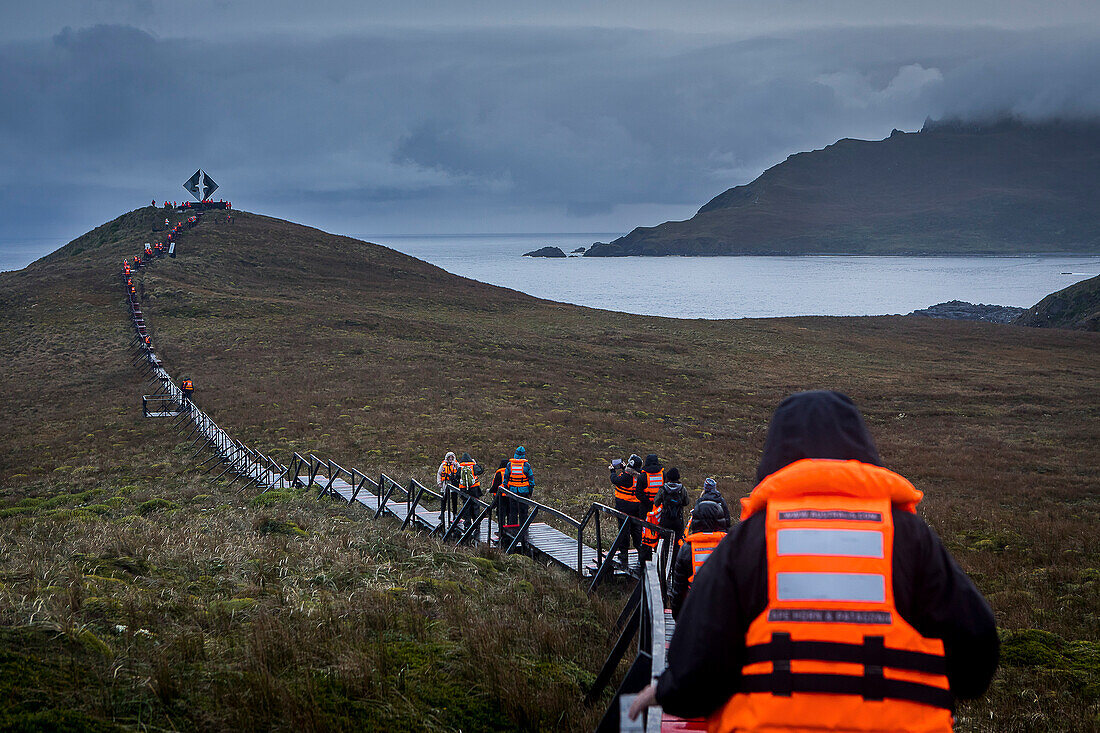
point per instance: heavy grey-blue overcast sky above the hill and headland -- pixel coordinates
(432, 117)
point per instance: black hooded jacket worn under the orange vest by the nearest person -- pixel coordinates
(931, 594)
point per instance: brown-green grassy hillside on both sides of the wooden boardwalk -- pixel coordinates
(287, 614)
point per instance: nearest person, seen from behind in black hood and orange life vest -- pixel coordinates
(832, 606)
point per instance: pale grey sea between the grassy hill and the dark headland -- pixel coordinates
(744, 287)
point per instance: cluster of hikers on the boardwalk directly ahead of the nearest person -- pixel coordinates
(648, 491)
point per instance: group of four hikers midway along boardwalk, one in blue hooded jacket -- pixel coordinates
(513, 474)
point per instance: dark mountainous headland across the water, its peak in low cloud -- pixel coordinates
(1006, 188)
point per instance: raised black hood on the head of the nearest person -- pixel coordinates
(820, 424)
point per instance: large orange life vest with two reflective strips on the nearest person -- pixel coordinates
(831, 652)
